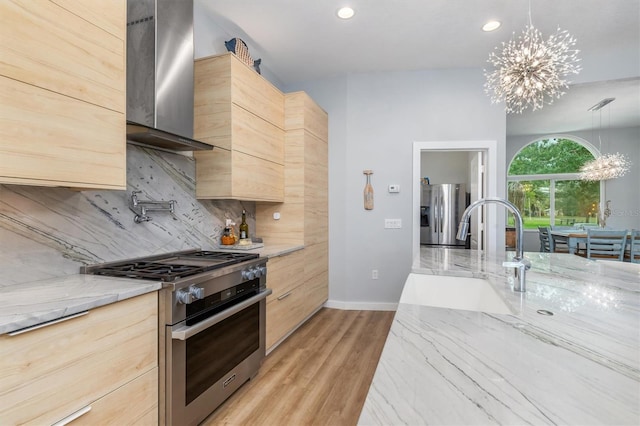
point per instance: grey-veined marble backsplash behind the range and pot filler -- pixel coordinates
(50, 232)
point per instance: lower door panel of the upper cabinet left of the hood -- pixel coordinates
(51, 137)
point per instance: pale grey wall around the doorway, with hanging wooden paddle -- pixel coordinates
(374, 118)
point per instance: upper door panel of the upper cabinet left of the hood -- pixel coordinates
(46, 45)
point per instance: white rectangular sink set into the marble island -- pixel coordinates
(444, 291)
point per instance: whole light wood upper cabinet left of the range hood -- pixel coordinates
(62, 93)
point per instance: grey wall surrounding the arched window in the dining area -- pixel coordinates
(623, 192)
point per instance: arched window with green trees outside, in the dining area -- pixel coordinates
(543, 183)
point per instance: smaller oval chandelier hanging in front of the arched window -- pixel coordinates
(605, 166)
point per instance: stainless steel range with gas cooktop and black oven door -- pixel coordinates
(212, 311)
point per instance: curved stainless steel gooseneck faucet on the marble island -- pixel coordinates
(520, 264)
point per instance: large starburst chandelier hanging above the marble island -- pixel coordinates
(530, 71)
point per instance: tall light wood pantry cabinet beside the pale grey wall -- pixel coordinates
(304, 212)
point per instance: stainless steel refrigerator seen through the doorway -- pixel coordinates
(441, 208)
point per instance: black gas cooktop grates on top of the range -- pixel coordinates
(169, 266)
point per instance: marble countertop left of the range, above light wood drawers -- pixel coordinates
(27, 304)
